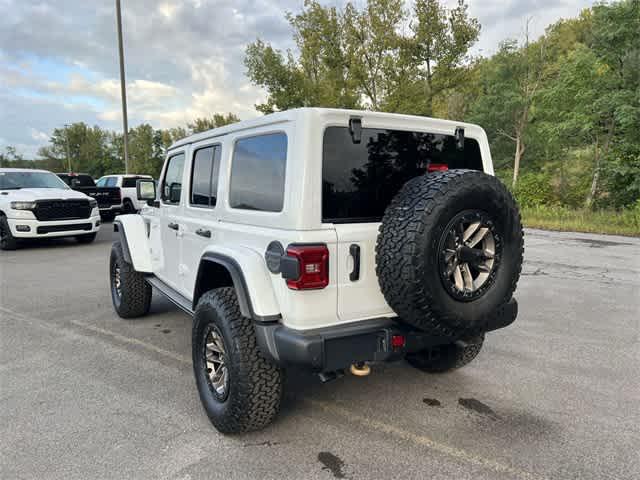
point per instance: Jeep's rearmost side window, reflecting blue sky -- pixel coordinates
(257, 173)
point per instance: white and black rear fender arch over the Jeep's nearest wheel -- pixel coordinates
(253, 289)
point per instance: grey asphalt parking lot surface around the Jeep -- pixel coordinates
(85, 394)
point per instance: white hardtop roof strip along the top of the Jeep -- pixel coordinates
(297, 113)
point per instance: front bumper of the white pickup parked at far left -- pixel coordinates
(31, 228)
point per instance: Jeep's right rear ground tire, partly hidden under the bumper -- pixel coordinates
(445, 358)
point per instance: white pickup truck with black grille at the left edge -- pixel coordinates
(38, 204)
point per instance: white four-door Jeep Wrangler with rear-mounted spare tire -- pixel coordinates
(325, 239)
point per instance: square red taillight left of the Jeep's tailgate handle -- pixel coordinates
(313, 266)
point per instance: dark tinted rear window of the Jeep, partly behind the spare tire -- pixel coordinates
(360, 180)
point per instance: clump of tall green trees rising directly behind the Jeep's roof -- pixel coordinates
(366, 58)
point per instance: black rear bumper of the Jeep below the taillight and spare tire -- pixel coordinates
(337, 347)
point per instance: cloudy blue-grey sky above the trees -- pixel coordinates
(184, 58)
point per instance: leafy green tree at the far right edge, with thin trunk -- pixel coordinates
(593, 98)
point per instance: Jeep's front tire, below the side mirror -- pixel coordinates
(134, 296)
